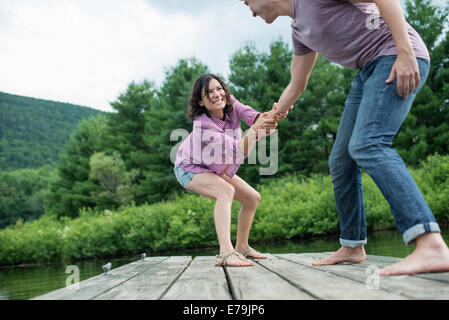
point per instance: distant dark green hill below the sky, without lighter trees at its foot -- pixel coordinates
(34, 131)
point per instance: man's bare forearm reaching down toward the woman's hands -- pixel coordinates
(300, 71)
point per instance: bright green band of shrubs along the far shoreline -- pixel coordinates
(291, 207)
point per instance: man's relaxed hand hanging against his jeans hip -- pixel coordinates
(406, 70)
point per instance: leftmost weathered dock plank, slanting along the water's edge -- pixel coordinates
(96, 285)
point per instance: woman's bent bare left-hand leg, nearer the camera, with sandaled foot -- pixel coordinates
(212, 186)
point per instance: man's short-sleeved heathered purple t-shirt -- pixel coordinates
(346, 32)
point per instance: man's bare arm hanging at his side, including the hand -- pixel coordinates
(405, 68)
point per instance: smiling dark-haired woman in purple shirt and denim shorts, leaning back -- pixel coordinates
(207, 162)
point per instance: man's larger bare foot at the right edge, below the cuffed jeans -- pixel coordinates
(431, 255)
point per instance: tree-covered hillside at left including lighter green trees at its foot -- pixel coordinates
(33, 132)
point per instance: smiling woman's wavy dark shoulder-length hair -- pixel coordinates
(194, 109)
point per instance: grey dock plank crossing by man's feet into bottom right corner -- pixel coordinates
(407, 286)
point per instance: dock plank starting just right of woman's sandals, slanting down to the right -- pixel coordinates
(323, 285)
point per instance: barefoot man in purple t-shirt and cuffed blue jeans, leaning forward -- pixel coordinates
(393, 63)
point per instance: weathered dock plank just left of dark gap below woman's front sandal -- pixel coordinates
(201, 281)
